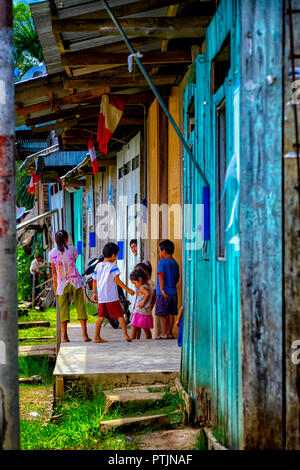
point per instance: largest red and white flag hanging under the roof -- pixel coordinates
(111, 110)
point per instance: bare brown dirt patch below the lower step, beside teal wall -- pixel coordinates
(183, 438)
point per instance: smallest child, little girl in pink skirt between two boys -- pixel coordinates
(142, 316)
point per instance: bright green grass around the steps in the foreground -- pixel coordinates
(78, 418)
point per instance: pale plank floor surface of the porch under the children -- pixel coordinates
(79, 358)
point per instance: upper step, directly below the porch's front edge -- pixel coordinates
(135, 395)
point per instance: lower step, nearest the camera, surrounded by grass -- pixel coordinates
(126, 424)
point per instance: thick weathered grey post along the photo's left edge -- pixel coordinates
(9, 381)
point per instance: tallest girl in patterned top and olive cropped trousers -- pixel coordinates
(67, 283)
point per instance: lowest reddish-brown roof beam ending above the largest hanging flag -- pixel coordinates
(83, 97)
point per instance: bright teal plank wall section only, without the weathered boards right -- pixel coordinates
(211, 355)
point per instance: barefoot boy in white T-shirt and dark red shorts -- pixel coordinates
(105, 282)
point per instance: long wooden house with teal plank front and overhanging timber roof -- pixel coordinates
(225, 71)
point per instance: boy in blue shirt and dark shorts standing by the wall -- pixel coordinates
(166, 295)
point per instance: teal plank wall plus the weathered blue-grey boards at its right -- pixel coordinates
(232, 360)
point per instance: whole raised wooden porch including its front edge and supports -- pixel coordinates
(115, 363)
